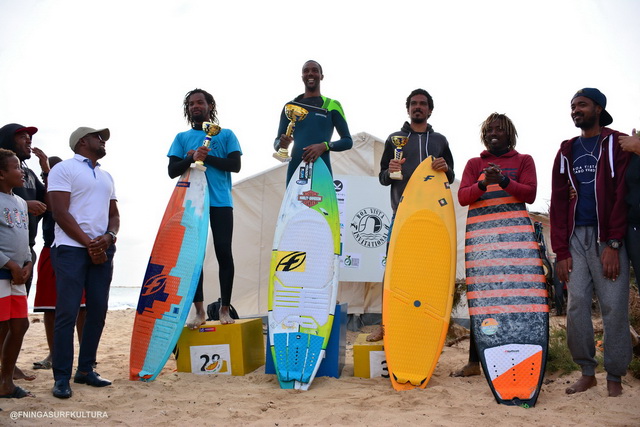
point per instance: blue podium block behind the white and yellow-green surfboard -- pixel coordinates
(333, 362)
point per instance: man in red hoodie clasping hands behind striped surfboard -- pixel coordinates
(501, 164)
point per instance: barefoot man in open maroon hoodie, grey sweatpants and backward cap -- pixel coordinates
(587, 233)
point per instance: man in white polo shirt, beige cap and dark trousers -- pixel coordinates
(84, 206)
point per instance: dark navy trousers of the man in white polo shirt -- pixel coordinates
(74, 273)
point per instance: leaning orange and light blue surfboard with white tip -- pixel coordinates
(171, 277)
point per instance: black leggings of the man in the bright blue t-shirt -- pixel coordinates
(221, 220)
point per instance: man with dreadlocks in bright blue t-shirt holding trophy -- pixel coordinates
(221, 158)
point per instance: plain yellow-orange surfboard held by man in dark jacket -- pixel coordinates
(419, 278)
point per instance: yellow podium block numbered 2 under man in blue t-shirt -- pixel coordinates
(214, 348)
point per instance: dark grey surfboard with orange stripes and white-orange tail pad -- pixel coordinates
(507, 296)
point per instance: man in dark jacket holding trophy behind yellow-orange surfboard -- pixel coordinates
(422, 142)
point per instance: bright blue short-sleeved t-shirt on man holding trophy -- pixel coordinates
(221, 145)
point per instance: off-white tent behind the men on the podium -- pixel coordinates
(256, 204)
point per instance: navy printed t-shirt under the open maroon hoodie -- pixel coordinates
(585, 158)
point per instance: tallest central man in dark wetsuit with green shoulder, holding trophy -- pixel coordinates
(313, 134)
